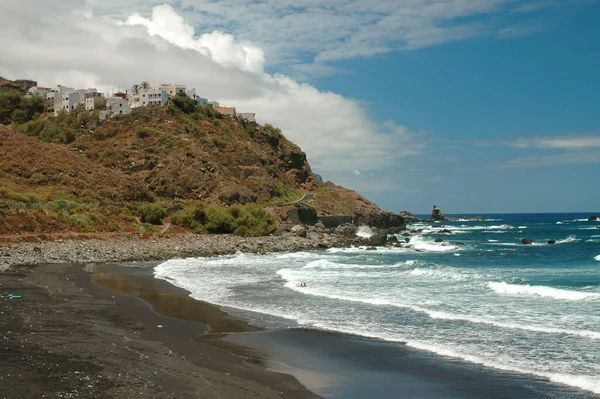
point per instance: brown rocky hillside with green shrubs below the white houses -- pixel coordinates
(73, 173)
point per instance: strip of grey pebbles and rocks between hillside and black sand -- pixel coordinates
(136, 248)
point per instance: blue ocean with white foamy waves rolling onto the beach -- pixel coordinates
(480, 297)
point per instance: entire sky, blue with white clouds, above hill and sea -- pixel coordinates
(477, 106)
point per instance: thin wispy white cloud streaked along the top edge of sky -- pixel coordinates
(296, 32)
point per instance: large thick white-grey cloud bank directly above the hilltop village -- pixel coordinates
(80, 48)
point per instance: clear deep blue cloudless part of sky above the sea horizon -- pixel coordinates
(470, 96)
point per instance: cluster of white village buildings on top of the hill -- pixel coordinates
(62, 98)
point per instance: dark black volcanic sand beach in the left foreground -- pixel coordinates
(67, 337)
